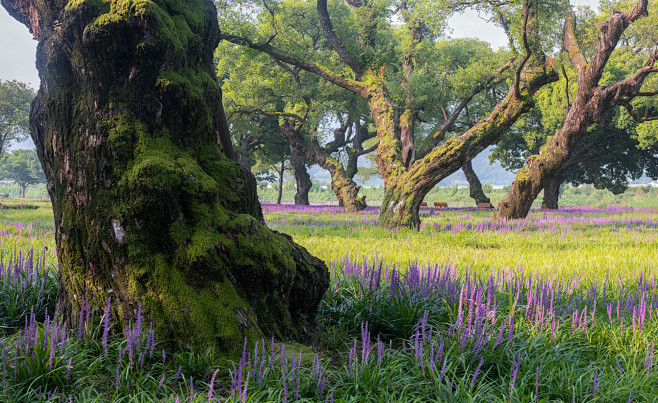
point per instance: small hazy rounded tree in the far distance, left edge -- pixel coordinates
(23, 167)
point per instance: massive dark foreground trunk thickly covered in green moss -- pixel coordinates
(147, 208)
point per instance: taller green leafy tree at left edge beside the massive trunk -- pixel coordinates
(15, 100)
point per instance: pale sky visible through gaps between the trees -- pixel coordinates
(18, 49)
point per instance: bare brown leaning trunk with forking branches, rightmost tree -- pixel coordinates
(590, 104)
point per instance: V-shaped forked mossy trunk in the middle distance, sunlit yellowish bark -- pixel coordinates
(406, 188)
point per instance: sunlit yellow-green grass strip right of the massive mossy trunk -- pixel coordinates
(563, 250)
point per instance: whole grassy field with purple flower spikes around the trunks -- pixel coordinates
(557, 307)
